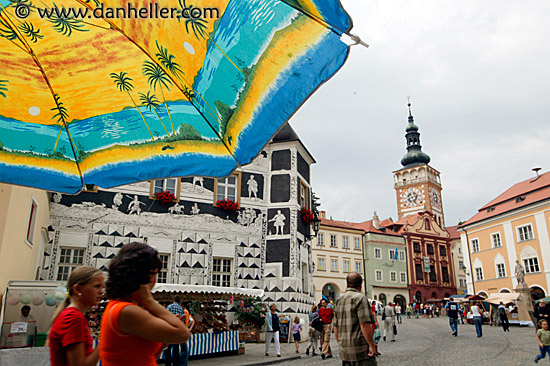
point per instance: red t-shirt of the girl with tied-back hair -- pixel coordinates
(69, 327)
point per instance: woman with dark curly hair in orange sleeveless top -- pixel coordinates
(134, 325)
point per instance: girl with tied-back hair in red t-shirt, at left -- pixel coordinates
(69, 338)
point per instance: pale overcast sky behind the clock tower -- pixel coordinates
(478, 74)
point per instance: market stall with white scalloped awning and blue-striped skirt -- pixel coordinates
(216, 311)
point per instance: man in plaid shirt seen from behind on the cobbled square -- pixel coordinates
(353, 325)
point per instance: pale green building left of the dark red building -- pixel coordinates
(385, 266)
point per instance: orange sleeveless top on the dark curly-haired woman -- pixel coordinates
(117, 348)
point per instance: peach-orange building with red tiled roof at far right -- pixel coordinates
(515, 226)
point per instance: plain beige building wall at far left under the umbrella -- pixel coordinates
(24, 218)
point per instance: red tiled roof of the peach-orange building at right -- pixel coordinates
(519, 195)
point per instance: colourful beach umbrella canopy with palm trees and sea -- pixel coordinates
(119, 91)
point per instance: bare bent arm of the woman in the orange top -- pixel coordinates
(153, 322)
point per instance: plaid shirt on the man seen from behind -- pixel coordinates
(352, 309)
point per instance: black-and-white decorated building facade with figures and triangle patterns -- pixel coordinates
(262, 245)
